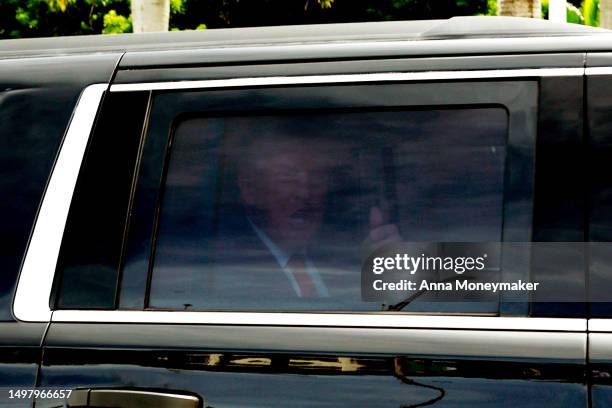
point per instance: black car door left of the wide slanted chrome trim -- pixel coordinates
(37, 96)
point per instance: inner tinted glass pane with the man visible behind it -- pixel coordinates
(273, 212)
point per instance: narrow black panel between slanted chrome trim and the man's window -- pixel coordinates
(92, 246)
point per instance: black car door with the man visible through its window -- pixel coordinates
(170, 281)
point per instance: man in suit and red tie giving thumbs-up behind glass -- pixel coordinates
(271, 247)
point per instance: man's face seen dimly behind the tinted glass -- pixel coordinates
(287, 187)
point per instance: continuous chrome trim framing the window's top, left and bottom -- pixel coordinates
(33, 292)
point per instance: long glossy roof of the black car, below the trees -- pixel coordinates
(330, 41)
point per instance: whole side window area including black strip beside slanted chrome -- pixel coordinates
(270, 199)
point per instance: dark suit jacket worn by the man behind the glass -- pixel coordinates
(246, 271)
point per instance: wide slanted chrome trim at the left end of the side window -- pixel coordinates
(31, 302)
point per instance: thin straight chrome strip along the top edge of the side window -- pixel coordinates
(348, 78)
